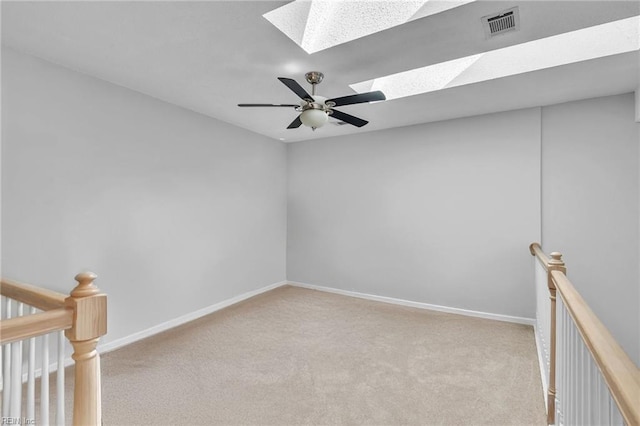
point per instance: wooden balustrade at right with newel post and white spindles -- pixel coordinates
(620, 374)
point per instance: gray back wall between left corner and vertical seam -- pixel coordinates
(440, 213)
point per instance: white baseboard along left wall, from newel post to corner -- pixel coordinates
(118, 343)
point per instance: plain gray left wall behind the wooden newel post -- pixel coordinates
(175, 211)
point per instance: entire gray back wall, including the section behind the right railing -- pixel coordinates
(442, 213)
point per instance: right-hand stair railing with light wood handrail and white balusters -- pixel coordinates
(619, 373)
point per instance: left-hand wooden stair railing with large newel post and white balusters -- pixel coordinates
(83, 317)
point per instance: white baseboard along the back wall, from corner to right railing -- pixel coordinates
(420, 305)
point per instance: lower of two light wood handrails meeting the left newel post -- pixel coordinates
(25, 327)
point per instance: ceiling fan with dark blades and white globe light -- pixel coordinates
(315, 109)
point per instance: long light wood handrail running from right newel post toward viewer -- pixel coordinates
(620, 373)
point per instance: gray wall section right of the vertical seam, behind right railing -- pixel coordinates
(591, 208)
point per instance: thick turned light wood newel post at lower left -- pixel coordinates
(89, 323)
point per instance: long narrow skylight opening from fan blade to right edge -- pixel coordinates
(581, 45)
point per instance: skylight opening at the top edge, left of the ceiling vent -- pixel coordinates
(316, 25)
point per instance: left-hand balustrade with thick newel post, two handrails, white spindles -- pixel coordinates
(83, 317)
